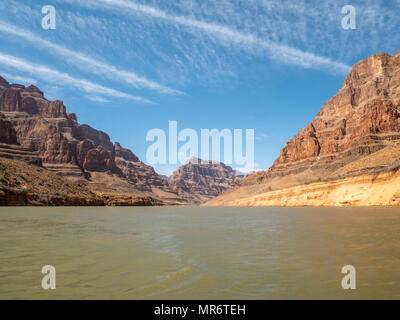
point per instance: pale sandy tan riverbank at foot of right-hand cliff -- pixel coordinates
(380, 189)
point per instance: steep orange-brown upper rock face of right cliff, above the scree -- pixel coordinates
(361, 113)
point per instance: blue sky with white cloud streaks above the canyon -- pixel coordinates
(129, 66)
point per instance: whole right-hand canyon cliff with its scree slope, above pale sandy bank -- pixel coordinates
(361, 122)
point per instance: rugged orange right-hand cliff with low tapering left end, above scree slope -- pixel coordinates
(362, 118)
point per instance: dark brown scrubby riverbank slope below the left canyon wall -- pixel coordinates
(29, 185)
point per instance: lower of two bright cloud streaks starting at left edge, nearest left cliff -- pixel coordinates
(52, 75)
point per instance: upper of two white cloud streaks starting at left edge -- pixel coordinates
(95, 66)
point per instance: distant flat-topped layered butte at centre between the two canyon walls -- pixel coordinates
(199, 180)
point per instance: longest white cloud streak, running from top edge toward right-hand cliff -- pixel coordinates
(277, 51)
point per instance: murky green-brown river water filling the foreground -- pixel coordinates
(199, 253)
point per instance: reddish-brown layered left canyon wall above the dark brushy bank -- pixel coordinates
(65, 146)
